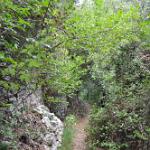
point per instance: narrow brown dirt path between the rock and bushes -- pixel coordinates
(80, 134)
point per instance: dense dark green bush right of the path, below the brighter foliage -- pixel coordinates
(123, 122)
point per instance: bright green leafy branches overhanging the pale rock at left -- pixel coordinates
(33, 47)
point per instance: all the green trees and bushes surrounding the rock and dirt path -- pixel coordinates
(99, 54)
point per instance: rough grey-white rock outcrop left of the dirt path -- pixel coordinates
(37, 128)
